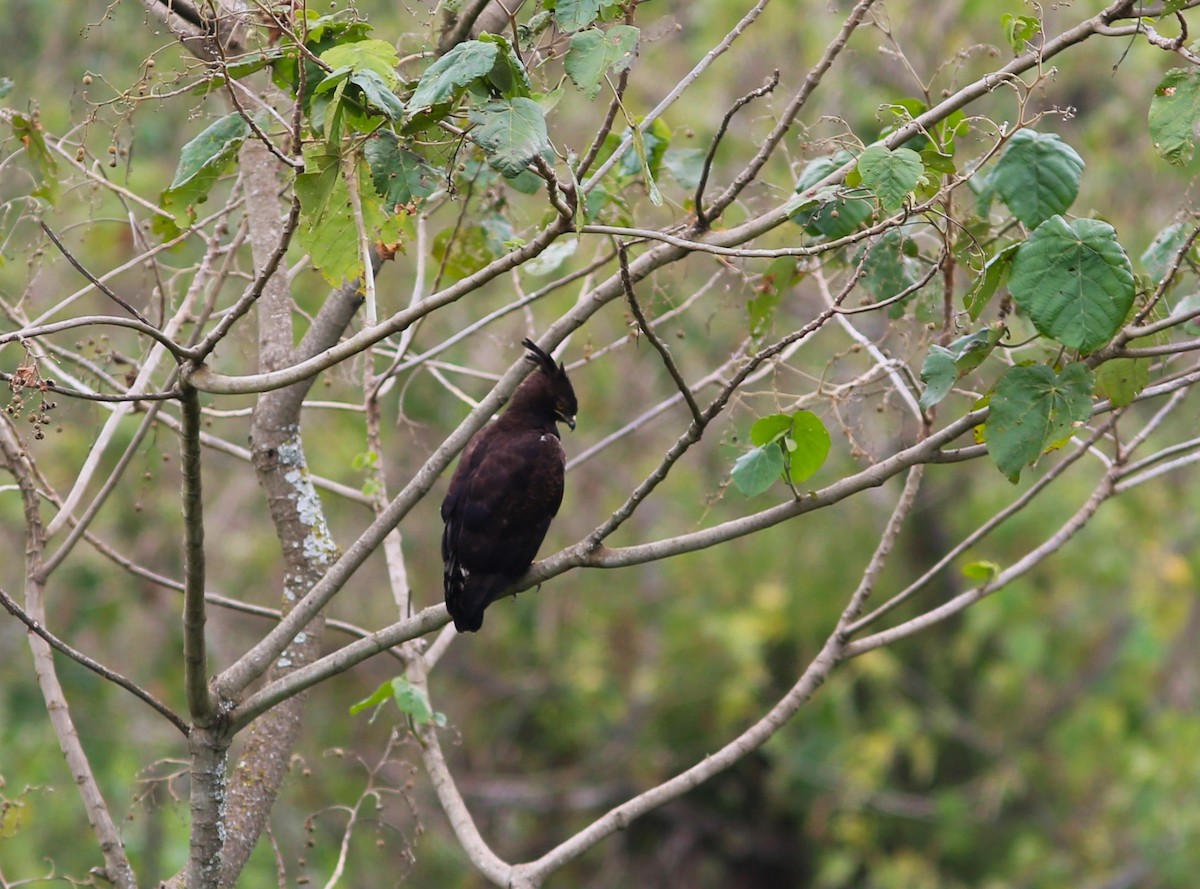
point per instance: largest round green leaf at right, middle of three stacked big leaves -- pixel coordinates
(1075, 281)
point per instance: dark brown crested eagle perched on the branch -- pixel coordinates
(506, 491)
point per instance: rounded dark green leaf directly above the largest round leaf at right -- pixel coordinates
(1037, 177)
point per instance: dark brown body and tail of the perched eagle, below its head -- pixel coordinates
(502, 498)
